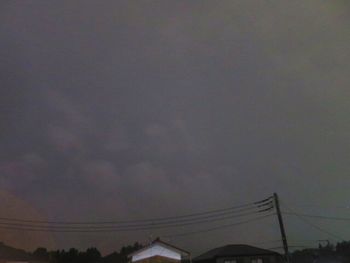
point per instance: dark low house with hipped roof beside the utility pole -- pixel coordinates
(239, 254)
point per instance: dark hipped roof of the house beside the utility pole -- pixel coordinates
(234, 250)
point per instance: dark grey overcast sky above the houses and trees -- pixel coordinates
(135, 109)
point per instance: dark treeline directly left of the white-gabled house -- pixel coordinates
(91, 255)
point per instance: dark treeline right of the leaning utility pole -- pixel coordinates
(327, 253)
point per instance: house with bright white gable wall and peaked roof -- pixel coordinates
(159, 252)
